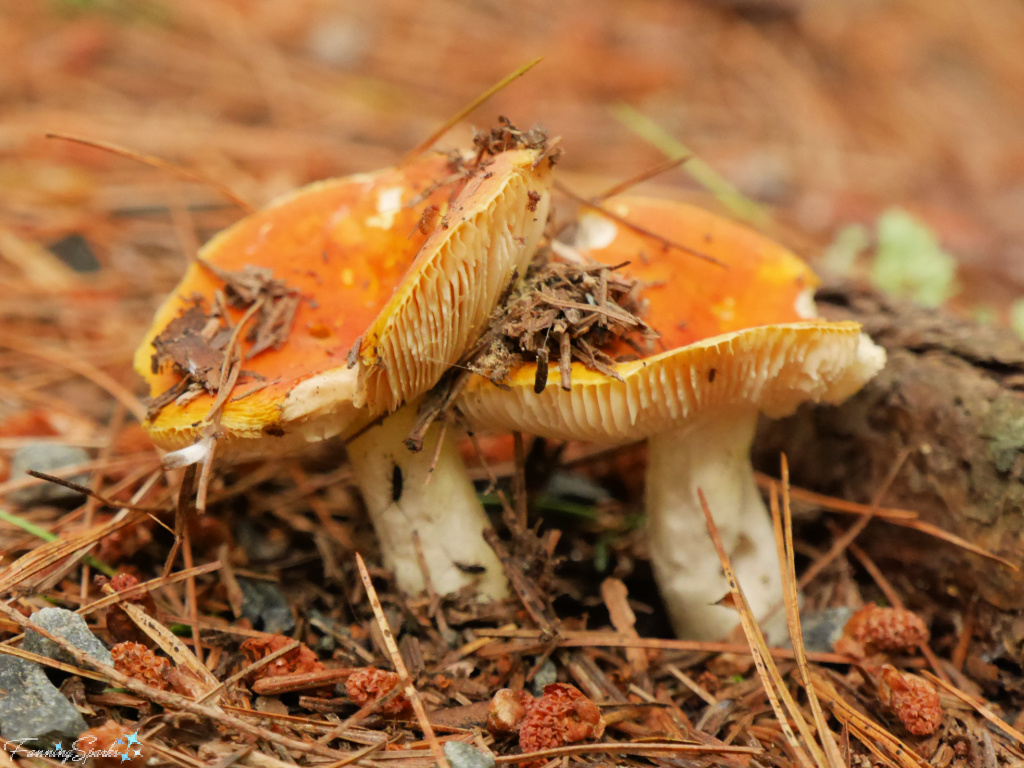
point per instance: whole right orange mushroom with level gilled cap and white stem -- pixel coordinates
(736, 343)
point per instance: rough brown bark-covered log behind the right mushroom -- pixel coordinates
(952, 400)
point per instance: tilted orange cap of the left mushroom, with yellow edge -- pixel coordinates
(345, 245)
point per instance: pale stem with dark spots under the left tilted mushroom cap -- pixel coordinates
(446, 511)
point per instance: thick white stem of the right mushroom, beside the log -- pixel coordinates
(712, 453)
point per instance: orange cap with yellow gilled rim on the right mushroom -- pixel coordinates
(732, 332)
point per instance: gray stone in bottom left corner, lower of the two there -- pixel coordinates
(32, 709)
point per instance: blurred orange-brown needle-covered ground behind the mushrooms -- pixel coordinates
(881, 138)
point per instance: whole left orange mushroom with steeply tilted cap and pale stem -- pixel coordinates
(361, 264)
